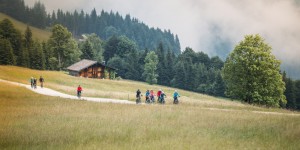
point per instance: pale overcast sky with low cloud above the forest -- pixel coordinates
(277, 21)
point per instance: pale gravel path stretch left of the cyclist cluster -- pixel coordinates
(50, 92)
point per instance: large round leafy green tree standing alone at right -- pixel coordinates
(252, 74)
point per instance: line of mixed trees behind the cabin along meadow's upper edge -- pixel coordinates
(62, 50)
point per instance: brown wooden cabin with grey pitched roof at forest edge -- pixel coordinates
(91, 69)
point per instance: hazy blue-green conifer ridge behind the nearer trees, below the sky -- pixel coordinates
(104, 25)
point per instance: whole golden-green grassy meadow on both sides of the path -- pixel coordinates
(32, 121)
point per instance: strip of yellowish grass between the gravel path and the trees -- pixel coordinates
(122, 89)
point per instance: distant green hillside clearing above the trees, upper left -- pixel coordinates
(39, 34)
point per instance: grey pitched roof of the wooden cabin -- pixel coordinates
(85, 63)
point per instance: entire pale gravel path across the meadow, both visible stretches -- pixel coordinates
(50, 92)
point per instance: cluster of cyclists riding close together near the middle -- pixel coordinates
(150, 97)
